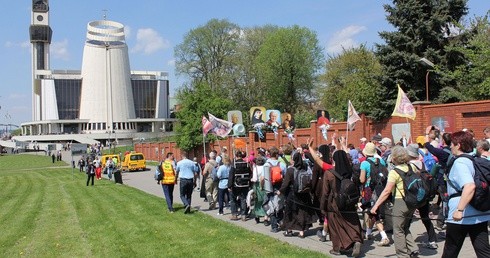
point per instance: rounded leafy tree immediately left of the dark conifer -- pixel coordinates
(353, 75)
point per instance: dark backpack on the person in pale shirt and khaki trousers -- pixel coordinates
(416, 187)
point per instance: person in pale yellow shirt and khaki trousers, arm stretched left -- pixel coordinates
(405, 246)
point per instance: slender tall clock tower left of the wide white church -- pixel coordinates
(40, 35)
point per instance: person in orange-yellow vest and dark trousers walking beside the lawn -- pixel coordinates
(169, 180)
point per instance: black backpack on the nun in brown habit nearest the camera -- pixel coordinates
(348, 193)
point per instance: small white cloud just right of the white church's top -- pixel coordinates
(149, 41)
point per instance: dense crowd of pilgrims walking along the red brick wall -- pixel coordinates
(281, 208)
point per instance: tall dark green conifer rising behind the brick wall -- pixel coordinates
(422, 29)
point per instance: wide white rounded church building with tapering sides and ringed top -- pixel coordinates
(106, 96)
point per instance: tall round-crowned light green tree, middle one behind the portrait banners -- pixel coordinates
(288, 64)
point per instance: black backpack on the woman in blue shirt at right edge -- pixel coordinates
(481, 197)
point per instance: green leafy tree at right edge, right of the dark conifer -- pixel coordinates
(473, 76)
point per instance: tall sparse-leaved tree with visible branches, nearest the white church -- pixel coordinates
(208, 54)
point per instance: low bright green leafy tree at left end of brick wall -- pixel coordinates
(195, 102)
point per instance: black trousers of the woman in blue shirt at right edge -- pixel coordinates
(456, 233)
